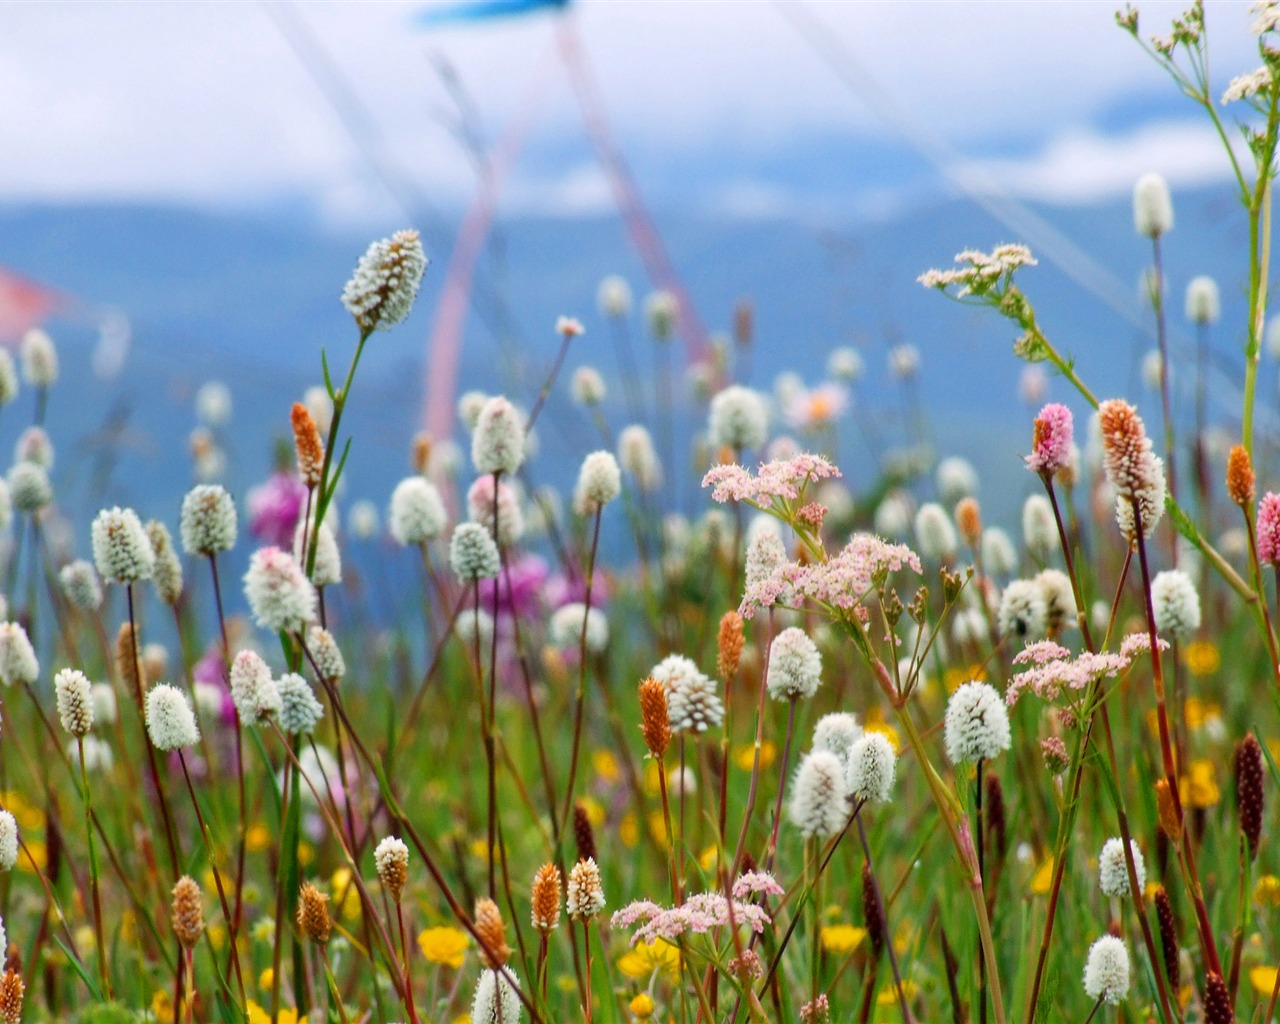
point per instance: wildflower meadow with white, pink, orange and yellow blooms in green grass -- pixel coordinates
(813, 742)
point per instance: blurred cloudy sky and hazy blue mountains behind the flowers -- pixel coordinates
(186, 189)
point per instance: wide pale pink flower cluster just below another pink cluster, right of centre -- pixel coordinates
(842, 582)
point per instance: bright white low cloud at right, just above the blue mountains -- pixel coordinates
(1084, 167)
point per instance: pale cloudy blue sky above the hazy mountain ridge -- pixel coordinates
(724, 107)
